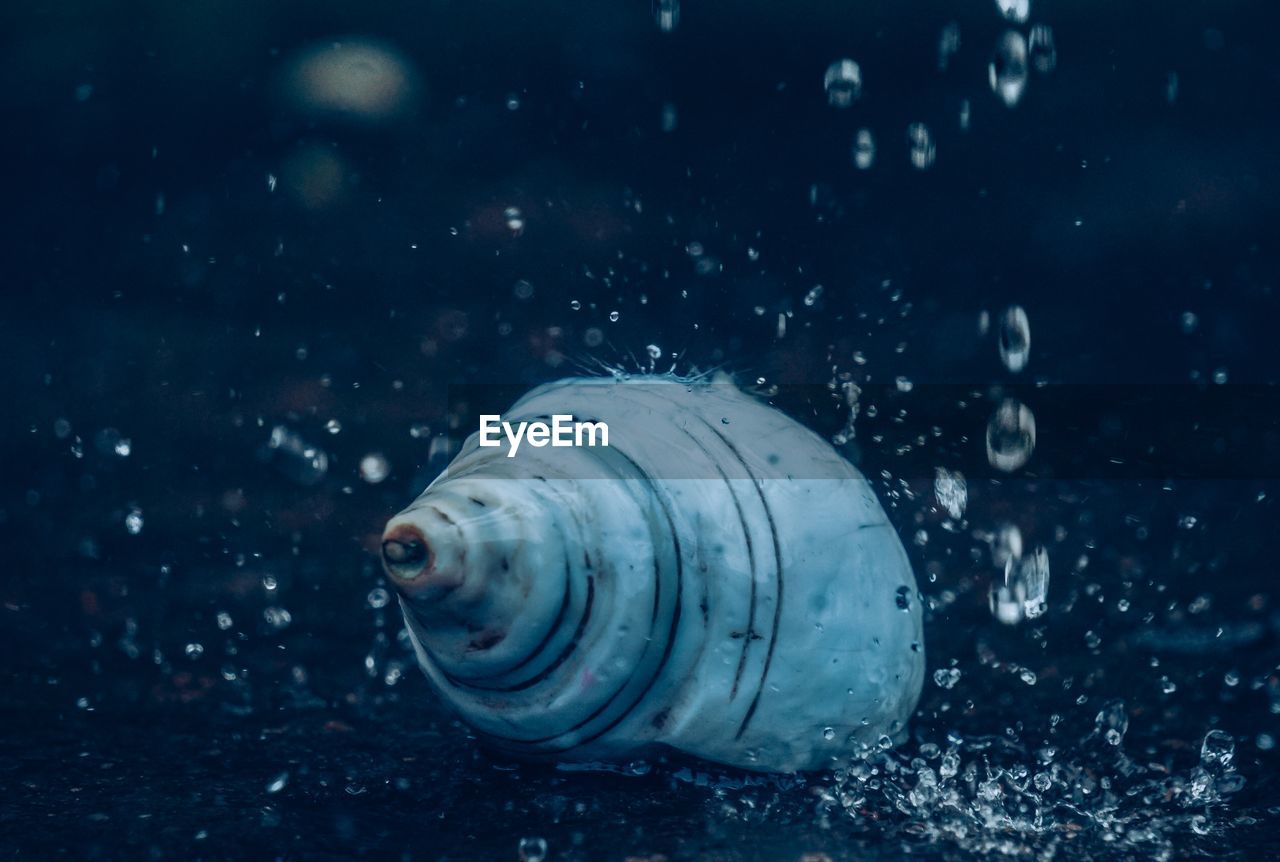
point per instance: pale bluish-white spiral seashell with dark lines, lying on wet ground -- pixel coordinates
(717, 581)
